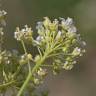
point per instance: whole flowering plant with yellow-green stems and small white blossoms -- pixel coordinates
(58, 46)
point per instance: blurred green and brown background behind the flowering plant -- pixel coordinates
(81, 81)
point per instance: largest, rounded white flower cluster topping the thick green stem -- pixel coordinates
(61, 37)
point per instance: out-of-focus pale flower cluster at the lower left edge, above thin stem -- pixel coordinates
(8, 65)
